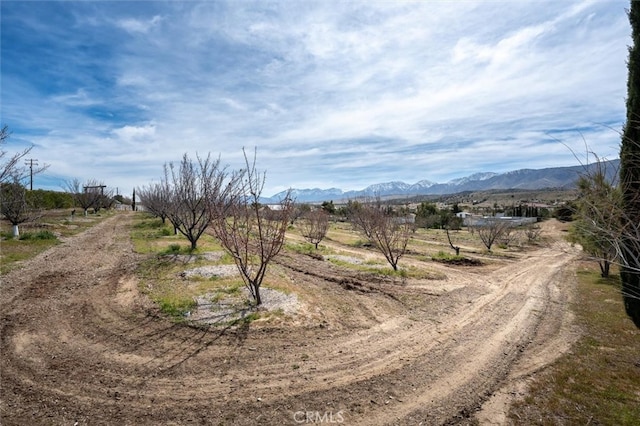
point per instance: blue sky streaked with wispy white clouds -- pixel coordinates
(329, 93)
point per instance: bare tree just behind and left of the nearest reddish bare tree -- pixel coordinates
(195, 187)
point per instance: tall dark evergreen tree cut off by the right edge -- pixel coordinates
(630, 174)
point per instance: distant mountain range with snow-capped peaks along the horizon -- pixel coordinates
(523, 179)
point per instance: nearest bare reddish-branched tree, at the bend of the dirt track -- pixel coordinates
(251, 233)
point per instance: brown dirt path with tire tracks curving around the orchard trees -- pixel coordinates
(80, 344)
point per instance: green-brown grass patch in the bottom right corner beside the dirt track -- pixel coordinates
(599, 381)
